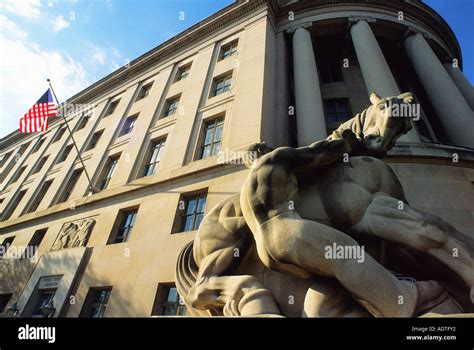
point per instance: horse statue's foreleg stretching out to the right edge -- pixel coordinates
(392, 220)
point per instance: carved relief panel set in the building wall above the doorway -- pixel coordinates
(74, 234)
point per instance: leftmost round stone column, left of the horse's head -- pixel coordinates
(311, 123)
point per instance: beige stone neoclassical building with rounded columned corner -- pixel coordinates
(157, 142)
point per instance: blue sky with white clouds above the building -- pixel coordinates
(77, 42)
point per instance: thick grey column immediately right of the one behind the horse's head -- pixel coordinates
(454, 112)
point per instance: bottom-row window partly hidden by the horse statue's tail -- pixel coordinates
(168, 302)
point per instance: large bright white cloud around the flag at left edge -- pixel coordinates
(24, 67)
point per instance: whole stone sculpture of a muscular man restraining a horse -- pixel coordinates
(297, 203)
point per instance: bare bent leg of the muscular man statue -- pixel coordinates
(290, 244)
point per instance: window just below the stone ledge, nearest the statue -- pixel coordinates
(191, 217)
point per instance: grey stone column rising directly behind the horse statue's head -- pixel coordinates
(374, 67)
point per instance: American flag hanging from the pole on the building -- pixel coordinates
(36, 119)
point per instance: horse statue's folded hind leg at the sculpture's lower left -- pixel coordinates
(241, 295)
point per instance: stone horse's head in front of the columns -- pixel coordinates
(385, 121)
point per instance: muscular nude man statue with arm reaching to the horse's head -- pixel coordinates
(288, 243)
